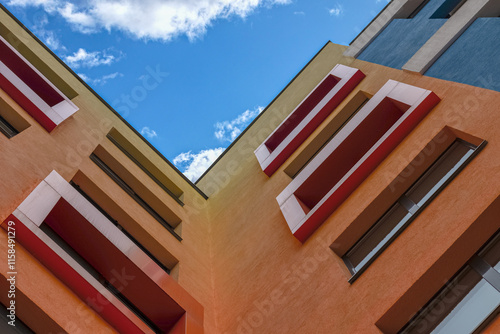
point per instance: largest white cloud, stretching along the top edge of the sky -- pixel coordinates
(151, 19)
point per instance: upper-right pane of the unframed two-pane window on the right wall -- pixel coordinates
(439, 173)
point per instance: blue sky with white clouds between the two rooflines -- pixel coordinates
(190, 75)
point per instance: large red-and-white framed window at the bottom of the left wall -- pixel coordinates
(98, 262)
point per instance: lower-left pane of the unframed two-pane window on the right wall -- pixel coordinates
(378, 236)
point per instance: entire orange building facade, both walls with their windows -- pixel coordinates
(364, 199)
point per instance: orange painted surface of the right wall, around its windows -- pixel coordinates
(268, 282)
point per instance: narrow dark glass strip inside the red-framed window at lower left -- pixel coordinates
(92, 271)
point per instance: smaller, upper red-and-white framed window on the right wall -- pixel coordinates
(306, 117)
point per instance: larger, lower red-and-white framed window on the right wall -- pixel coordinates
(345, 161)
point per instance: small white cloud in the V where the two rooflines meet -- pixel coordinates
(194, 165)
